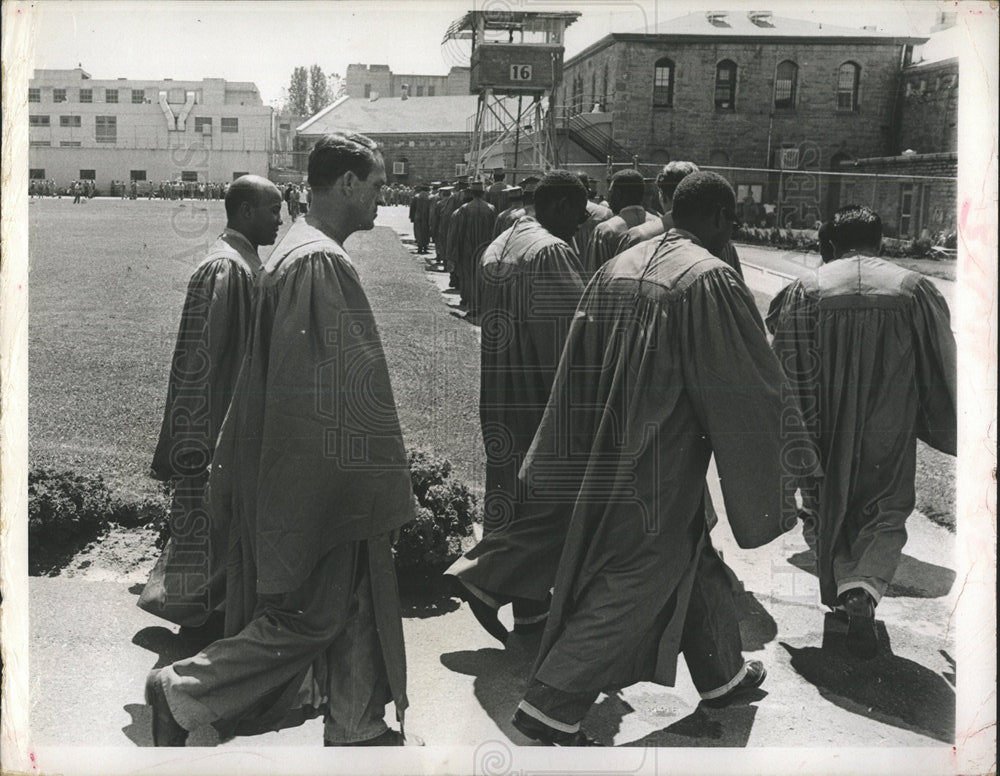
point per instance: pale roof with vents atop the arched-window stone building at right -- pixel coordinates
(737, 25)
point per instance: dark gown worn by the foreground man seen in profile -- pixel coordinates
(311, 454)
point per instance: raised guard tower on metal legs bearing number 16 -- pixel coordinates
(515, 54)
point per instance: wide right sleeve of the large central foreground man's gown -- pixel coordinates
(738, 392)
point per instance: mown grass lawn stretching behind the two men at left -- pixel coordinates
(107, 284)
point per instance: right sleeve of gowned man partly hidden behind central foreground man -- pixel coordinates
(556, 288)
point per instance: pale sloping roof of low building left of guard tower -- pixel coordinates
(394, 115)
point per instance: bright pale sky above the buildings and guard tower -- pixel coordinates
(264, 41)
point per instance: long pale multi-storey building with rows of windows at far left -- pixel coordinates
(144, 130)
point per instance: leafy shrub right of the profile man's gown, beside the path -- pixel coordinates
(445, 513)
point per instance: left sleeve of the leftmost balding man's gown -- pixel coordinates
(205, 364)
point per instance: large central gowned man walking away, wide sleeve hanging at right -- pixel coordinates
(665, 364)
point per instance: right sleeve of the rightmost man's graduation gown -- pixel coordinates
(935, 369)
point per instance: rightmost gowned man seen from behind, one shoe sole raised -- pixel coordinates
(869, 349)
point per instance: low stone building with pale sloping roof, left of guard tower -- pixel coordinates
(421, 139)
